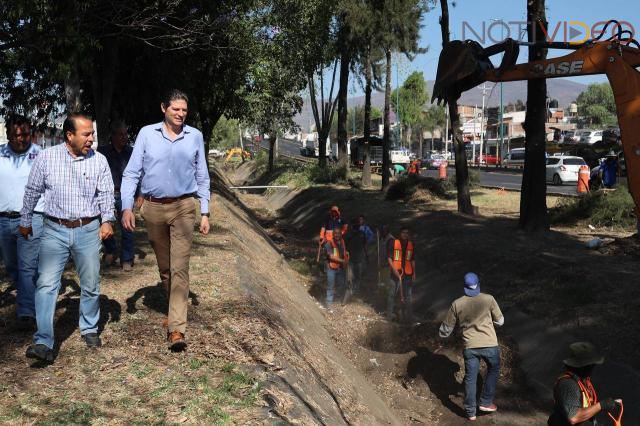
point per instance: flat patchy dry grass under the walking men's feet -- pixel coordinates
(133, 378)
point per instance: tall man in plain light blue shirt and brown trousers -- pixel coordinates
(169, 161)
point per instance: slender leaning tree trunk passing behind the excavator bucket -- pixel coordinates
(462, 170)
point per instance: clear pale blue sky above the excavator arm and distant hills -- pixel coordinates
(471, 14)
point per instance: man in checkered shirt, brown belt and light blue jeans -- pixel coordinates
(78, 197)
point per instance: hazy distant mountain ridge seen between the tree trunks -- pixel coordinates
(565, 91)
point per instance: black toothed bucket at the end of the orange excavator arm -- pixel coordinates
(464, 65)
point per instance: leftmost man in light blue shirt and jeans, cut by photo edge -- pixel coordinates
(20, 255)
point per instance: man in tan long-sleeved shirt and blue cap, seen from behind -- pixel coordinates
(476, 314)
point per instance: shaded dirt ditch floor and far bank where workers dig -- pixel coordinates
(551, 278)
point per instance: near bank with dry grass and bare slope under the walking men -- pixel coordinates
(259, 347)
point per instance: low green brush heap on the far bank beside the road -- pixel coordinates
(600, 208)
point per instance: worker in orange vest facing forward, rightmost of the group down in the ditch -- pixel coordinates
(402, 265)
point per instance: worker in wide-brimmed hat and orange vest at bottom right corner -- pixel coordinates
(575, 398)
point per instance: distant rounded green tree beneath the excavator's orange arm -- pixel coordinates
(597, 106)
